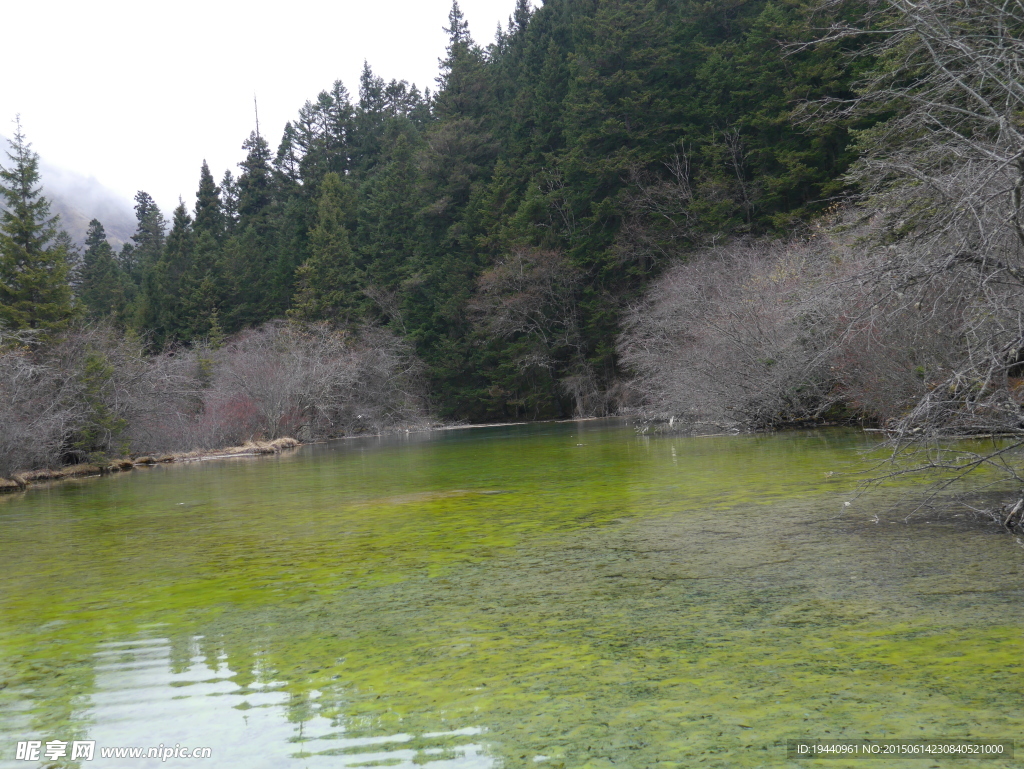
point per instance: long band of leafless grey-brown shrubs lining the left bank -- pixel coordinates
(94, 395)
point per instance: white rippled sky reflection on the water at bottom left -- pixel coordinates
(144, 698)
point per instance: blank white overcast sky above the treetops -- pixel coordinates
(137, 95)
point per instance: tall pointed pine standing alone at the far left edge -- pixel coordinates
(35, 292)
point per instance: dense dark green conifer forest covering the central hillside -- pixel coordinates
(503, 224)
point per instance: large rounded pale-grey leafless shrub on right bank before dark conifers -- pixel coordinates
(738, 336)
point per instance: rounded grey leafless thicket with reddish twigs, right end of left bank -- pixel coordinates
(285, 379)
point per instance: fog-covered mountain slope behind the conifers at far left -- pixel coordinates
(78, 200)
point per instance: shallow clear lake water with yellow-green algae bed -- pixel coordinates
(549, 595)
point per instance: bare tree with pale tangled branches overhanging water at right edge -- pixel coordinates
(947, 175)
